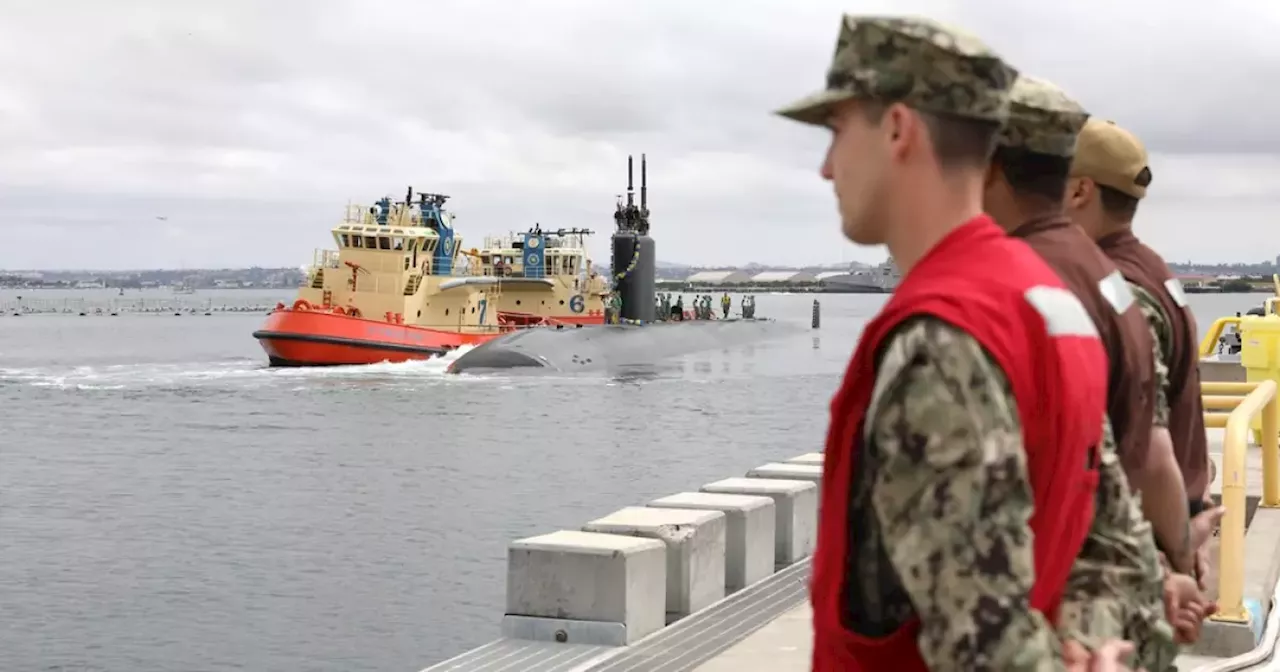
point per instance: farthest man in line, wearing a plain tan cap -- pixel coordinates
(1109, 177)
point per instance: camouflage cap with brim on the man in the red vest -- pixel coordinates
(918, 62)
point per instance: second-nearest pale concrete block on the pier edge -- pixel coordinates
(696, 551)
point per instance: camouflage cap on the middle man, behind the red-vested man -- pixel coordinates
(1043, 118)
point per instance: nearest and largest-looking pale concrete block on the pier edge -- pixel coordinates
(593, 578)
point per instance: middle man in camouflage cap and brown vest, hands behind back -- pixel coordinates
(1025, 194)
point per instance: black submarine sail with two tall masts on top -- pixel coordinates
(634, 263)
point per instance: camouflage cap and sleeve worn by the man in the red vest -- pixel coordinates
(943, 437)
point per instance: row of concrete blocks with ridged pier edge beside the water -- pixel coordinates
(664, 587)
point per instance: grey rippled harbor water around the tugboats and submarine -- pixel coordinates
(168, 504)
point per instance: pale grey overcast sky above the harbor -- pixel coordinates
(250, 125)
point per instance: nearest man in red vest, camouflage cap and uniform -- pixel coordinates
(973, 400)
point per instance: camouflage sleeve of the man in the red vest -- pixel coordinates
(920, 550)
